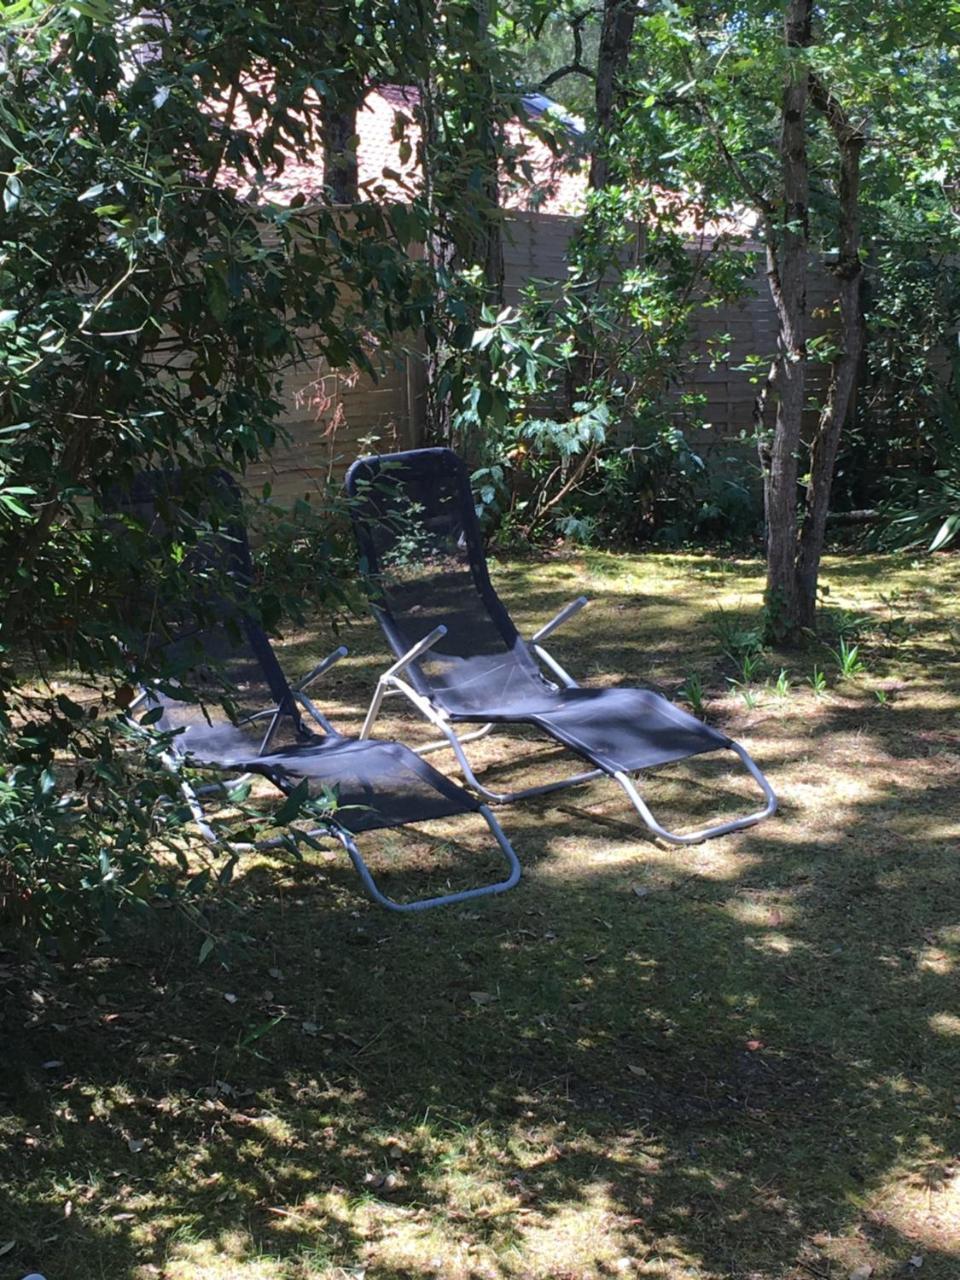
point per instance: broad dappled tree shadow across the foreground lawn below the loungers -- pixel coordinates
(737, 1073)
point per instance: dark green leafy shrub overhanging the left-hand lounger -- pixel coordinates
(152, 300)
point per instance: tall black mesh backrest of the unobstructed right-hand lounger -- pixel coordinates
(419, 537)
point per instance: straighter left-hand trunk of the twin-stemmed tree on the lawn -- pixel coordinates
(788, 278)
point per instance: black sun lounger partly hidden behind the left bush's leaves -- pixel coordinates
(244, 719)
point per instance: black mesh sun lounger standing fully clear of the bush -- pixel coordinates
(461, 661)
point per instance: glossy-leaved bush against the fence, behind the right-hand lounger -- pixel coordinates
(570, 401)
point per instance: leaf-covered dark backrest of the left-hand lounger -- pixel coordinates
(212, 643)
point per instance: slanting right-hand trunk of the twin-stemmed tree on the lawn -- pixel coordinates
(844, 373)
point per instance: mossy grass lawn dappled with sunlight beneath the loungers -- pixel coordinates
(739, 1060)
